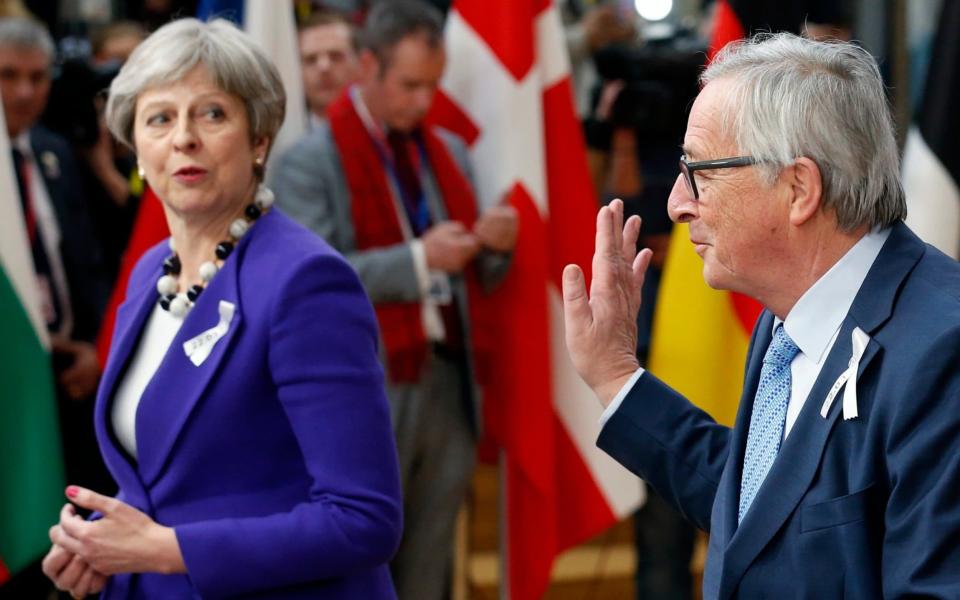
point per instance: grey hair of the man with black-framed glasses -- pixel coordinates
(826, 101)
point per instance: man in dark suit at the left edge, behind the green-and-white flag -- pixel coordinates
(71, 283)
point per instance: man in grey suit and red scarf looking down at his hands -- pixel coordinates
(394, 196)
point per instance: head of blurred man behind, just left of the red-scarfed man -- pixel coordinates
(329, 51)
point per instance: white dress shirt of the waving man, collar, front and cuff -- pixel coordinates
(813, 323)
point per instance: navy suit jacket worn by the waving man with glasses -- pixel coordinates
(861, 508)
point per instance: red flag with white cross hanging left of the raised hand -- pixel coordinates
(507, 91)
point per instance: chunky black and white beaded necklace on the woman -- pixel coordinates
(179, 303)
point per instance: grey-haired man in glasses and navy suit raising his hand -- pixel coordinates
(789, 185)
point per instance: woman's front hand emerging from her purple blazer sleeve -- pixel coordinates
(124, 540)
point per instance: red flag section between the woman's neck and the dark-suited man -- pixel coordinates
(149, 228)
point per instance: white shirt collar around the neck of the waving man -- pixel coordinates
(816, 317)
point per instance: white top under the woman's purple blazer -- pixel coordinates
(161, 328)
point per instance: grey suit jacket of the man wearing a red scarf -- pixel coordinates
(310, 185)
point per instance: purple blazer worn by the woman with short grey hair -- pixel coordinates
(274, 459)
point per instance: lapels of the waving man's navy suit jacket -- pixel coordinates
(790, 477)
